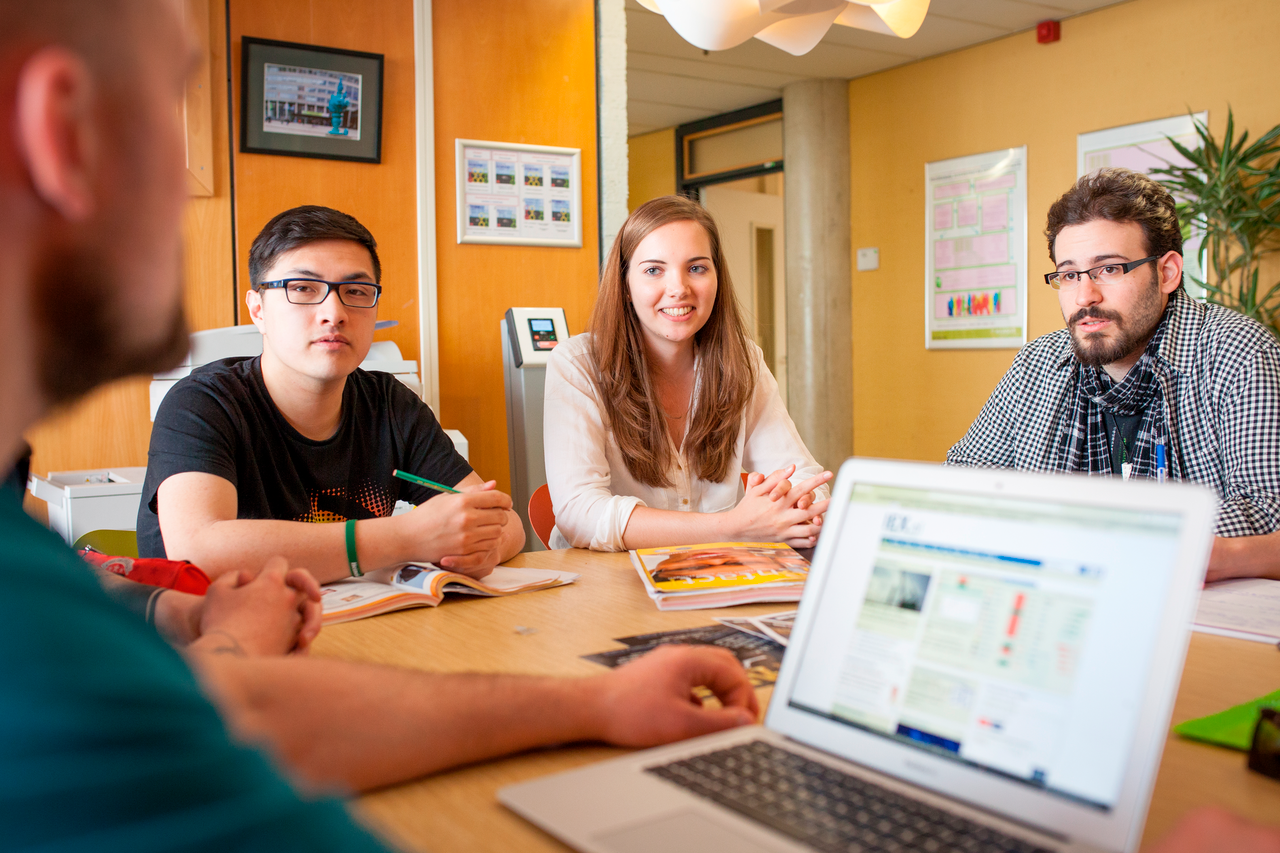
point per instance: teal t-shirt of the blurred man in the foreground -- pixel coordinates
(107, 743)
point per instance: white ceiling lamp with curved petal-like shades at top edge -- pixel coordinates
(794, 26)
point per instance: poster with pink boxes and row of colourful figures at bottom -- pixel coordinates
(976, 252)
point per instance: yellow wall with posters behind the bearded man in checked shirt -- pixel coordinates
(1135, 62)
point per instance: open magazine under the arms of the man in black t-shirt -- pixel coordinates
(426, 586)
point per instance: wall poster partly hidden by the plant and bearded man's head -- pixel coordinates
(1142, 148)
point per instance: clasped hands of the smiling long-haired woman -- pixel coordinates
(774, 510)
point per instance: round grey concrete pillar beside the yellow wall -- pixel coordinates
(820, 267)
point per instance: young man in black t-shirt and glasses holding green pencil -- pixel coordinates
(248, 453)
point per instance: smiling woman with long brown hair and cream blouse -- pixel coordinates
(653, 416)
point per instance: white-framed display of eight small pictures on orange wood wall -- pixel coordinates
(525, 195)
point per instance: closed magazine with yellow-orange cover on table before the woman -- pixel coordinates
(721, 574)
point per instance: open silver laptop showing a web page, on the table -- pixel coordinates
(982, 662)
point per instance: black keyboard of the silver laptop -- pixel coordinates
(826, 809)
